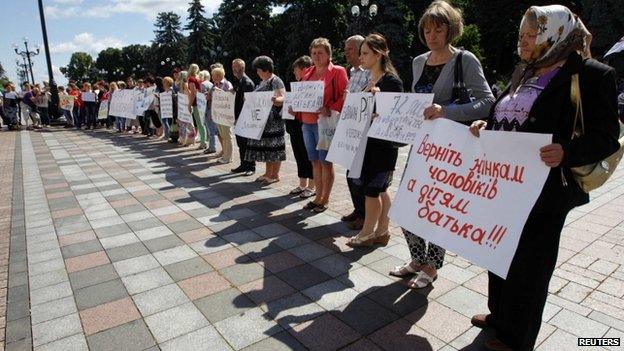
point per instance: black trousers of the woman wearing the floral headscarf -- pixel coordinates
(517, 303)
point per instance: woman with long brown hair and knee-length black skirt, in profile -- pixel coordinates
(381, 155)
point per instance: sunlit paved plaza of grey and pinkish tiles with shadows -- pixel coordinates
(117, 242)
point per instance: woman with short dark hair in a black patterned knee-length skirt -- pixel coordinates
(271, 147)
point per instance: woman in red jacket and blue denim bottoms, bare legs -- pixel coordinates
(335, 80)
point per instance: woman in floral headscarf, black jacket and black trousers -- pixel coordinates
(538, 101)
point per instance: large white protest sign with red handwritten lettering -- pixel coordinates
(471, 195)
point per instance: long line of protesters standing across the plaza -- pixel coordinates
(552, 45)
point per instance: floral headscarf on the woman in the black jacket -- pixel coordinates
(559, 33)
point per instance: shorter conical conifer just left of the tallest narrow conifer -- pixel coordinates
(169, 42)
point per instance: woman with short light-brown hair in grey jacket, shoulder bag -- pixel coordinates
(434, 73)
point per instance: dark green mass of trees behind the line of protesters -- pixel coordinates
(247, 28)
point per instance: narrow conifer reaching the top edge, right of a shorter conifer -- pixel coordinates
(201, 34)
